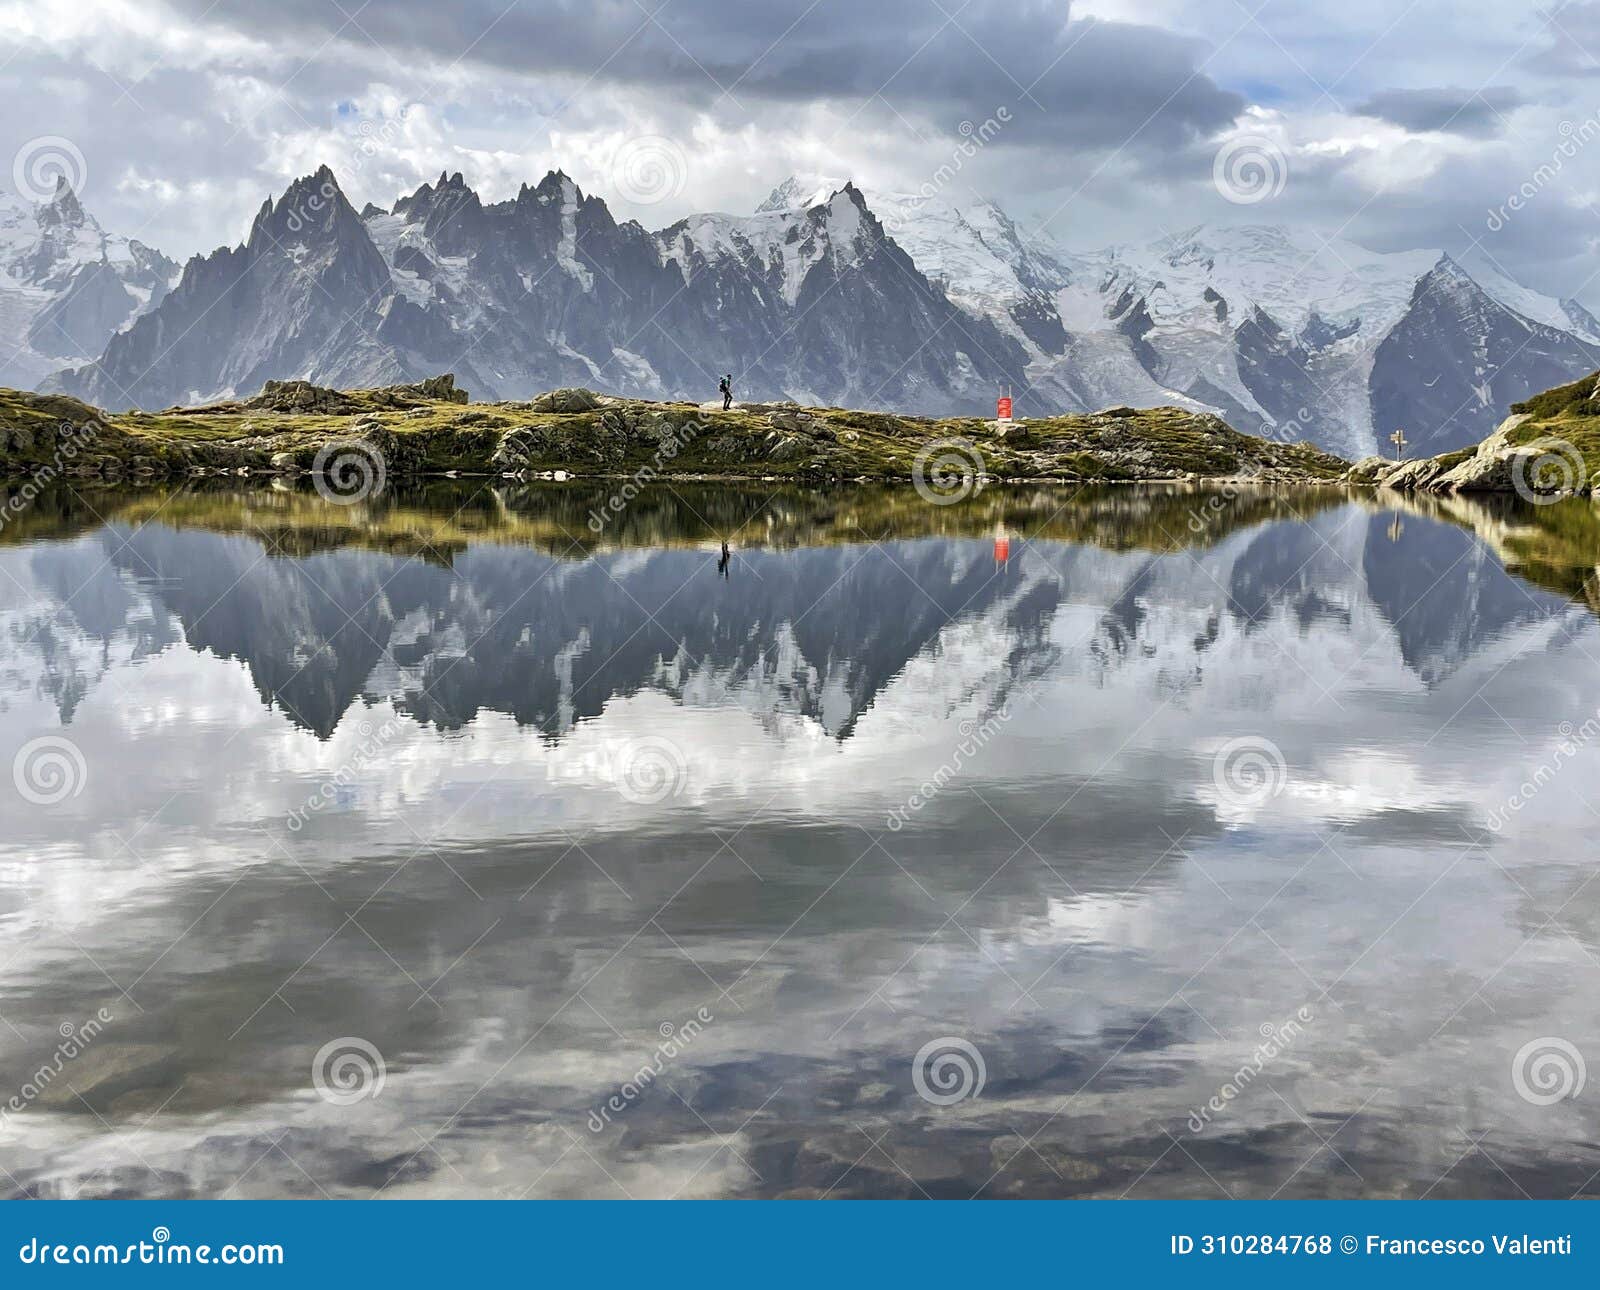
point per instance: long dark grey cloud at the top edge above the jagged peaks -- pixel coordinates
(1084, 84)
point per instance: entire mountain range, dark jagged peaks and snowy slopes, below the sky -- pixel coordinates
(826, 295)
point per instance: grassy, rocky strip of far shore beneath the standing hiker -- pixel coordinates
(418, 430)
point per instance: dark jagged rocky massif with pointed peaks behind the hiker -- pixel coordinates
(550, 290)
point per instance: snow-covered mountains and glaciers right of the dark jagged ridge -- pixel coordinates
(1274, 329)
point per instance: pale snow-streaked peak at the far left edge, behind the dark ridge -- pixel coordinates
(66, 286)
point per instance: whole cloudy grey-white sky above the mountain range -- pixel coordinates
(1399, 124)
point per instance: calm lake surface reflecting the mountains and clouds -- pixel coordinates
(1190, 833)
